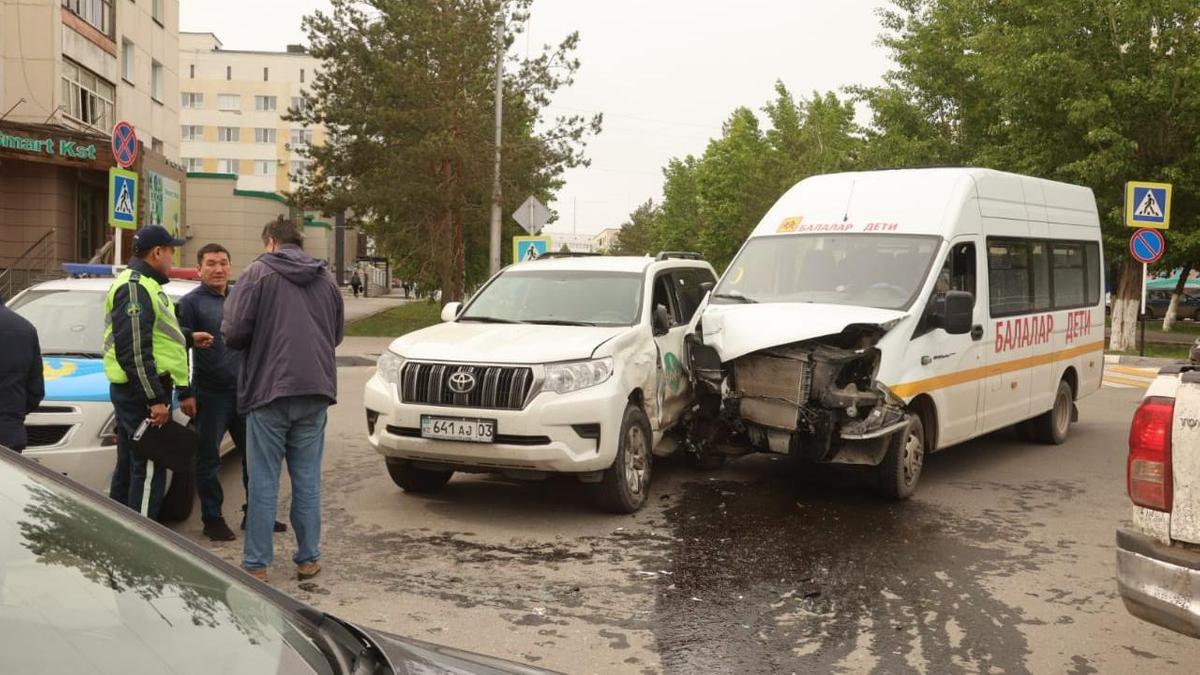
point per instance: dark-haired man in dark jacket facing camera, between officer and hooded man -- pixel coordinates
(215, 385)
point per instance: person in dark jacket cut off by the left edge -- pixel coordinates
(21, 378)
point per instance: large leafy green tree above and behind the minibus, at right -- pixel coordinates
(1088, 93)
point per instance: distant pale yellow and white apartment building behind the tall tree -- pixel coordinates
(232, 109)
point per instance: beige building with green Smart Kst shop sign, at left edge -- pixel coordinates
(69, 71)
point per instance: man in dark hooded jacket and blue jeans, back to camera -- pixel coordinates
(286, 315)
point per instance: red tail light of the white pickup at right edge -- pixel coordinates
(1149, 470)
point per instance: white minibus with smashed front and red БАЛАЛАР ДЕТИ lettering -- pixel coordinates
(874, 318)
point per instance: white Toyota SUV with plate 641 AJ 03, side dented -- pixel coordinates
(559, 366)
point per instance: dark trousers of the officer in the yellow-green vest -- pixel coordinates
(130, 476)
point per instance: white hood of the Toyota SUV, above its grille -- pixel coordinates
(503, 344)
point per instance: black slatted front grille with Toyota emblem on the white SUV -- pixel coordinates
(496, 387)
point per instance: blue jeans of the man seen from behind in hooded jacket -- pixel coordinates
(292, 429)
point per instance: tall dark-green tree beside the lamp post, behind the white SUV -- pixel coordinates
(406, 93)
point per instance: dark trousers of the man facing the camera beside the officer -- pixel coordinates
(217, 413)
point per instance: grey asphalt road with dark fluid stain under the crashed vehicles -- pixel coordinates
(1004, 563)
